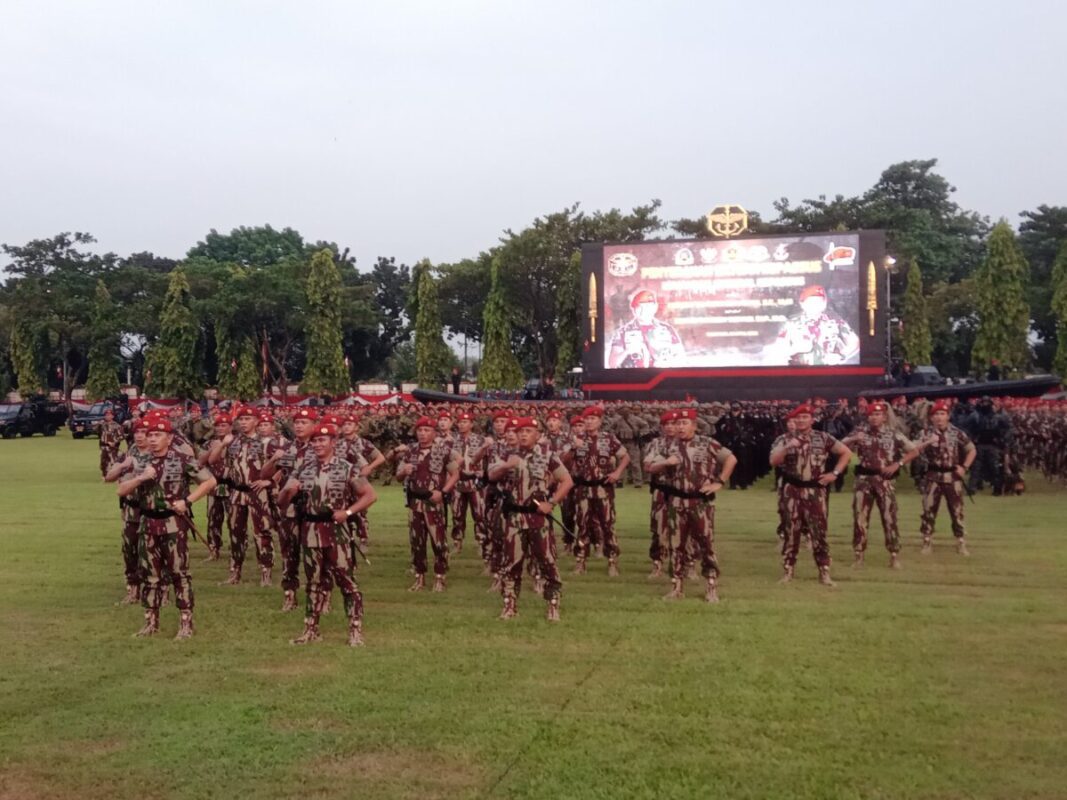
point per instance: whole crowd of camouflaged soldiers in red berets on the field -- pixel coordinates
(531, 484)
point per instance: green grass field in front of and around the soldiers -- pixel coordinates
(946, 680)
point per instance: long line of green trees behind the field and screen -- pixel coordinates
(261, 308)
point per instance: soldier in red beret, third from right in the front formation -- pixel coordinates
(803, 458)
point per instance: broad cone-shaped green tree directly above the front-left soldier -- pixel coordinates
(173, 362)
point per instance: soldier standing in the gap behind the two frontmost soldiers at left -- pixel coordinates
(248, 471)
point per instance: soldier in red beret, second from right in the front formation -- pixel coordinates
(883, 453)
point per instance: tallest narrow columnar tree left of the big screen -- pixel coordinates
(326, 372)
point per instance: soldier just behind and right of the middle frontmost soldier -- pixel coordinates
(599, 460)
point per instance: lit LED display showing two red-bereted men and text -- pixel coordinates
(781, 301)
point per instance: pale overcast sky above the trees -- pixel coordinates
(423, 130)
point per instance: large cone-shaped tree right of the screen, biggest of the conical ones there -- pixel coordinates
(1004, 312)
